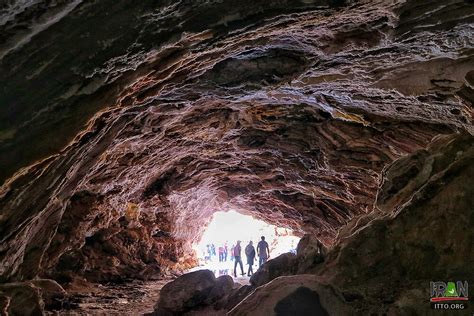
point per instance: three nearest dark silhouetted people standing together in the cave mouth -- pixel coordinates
(262, 252)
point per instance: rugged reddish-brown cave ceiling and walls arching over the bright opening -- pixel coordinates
(286, 110)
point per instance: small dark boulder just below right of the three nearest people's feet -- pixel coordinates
(284, 264)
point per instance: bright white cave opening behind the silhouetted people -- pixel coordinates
(214, 250)
